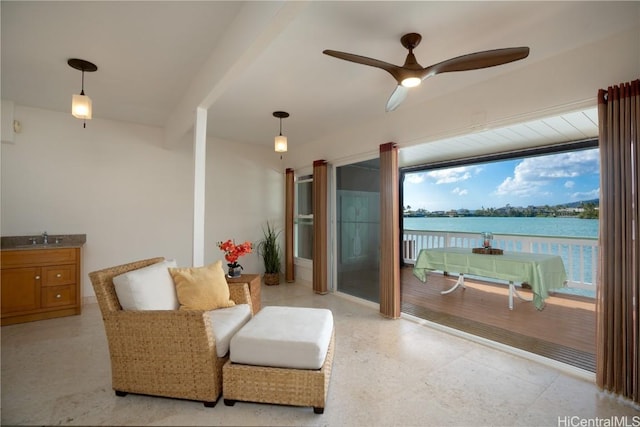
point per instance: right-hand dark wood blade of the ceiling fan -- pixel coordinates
(477, 60)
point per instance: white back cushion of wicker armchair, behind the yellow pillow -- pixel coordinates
(147, 288)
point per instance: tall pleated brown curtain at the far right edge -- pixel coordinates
(618, 317)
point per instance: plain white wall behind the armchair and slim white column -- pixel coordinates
(133, 198)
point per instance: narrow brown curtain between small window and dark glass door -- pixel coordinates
(320, 186)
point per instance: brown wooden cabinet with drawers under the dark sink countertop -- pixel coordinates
(40, 284)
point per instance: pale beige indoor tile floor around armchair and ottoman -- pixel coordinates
(386, 373)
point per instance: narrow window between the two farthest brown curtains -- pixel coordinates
(303, 217)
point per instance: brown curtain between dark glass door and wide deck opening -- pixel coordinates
(389, 232)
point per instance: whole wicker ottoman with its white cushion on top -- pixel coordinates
(264, 379)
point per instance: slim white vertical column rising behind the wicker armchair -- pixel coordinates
(199, 174)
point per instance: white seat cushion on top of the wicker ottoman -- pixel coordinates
(284, 337)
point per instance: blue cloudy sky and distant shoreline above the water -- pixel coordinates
(561, 181)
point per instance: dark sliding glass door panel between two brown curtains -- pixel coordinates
(358, 229)
